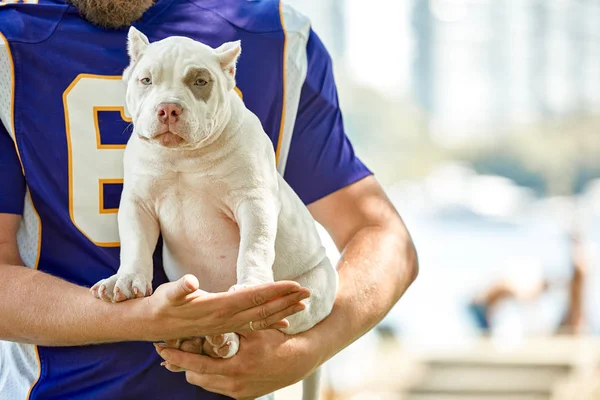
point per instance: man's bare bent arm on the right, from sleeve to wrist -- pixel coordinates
(377, 265)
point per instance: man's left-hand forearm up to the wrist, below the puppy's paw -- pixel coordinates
(41, 309)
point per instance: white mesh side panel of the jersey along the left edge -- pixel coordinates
(19, 367)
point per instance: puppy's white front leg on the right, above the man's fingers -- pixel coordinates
(257, 219)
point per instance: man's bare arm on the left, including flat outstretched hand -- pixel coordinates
(41, 309)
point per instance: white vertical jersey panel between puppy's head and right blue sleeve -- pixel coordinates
(297, 28)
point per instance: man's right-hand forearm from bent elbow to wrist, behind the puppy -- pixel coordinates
(376, 268)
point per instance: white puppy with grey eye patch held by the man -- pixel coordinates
(199, 169)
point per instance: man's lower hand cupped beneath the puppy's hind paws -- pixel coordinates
(267, 361)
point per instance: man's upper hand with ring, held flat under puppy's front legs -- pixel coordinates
(180, 310)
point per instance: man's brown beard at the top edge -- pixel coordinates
(112, 14)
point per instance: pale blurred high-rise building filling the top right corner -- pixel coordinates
(493, 64)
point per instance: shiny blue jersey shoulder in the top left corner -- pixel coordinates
(30, 21)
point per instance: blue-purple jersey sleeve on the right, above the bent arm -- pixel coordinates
(321, 158)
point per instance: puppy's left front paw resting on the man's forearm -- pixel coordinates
(121, 287)
